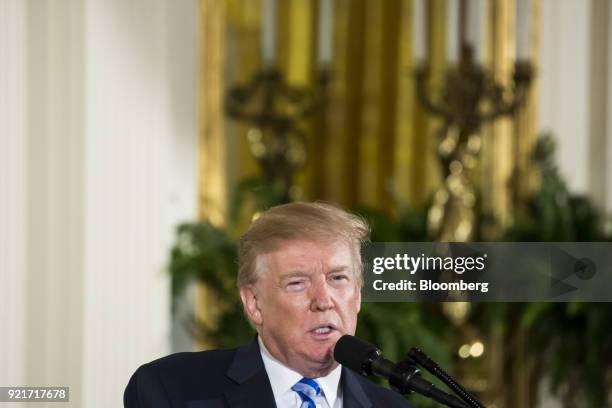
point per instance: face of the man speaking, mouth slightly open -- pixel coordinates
(306, 297)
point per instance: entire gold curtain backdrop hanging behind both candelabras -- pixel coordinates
(374, 144)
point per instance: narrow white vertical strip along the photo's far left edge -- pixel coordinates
(13, 201)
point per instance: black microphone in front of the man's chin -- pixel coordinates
(404, 377)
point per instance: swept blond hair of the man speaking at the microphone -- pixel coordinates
(317, 222)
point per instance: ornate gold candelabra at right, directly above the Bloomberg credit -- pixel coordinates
(468, 98)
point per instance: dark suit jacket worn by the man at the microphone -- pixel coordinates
(231, 379)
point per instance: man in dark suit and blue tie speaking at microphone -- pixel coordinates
(299, 278)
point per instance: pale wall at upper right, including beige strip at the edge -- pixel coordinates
(576, 92)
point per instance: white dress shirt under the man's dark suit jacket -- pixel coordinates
(283, 378)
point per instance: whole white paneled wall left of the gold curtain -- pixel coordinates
(98, 147)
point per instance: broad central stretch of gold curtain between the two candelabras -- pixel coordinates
(375, 148)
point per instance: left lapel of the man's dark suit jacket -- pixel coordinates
(248, 371)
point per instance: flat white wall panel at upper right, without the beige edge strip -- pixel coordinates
(563, 78)
